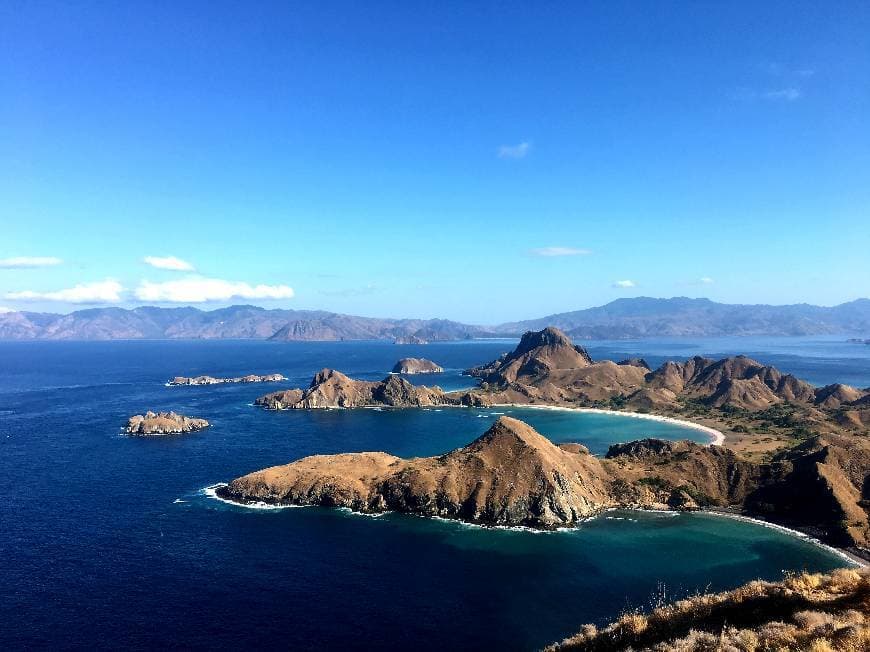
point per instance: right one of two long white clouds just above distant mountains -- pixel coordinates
(197, 289)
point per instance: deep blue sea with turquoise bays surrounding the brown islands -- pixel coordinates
(109, 541)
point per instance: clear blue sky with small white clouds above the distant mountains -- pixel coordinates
(482, 163)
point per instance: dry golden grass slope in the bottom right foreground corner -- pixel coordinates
(815, 612)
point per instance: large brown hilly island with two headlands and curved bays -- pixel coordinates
(795, 454)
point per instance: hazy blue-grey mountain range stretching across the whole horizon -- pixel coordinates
(621, 319)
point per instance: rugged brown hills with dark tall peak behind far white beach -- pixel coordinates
(547, 366)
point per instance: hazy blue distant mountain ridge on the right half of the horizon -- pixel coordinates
(681, 316)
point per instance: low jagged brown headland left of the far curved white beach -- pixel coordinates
(332, 389)
